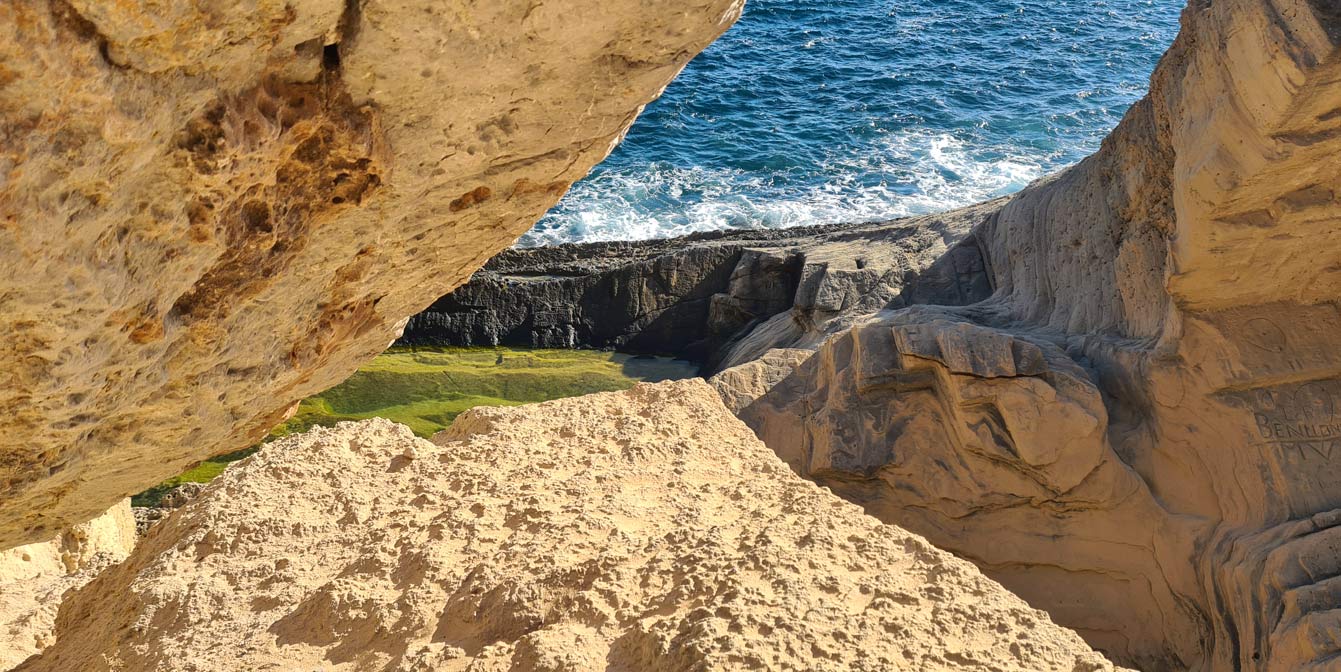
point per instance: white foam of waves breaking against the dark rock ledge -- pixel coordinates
(911, 172)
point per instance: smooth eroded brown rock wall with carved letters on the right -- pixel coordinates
(1139, 426)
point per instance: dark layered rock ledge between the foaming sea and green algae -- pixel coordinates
(714, 298)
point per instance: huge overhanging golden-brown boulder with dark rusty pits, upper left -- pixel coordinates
(210, 211)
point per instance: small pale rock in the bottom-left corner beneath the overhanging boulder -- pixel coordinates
(36, 577)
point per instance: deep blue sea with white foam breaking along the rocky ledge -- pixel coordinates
(813, 112)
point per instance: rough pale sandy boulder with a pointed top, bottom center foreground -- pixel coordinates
(643, 530)
